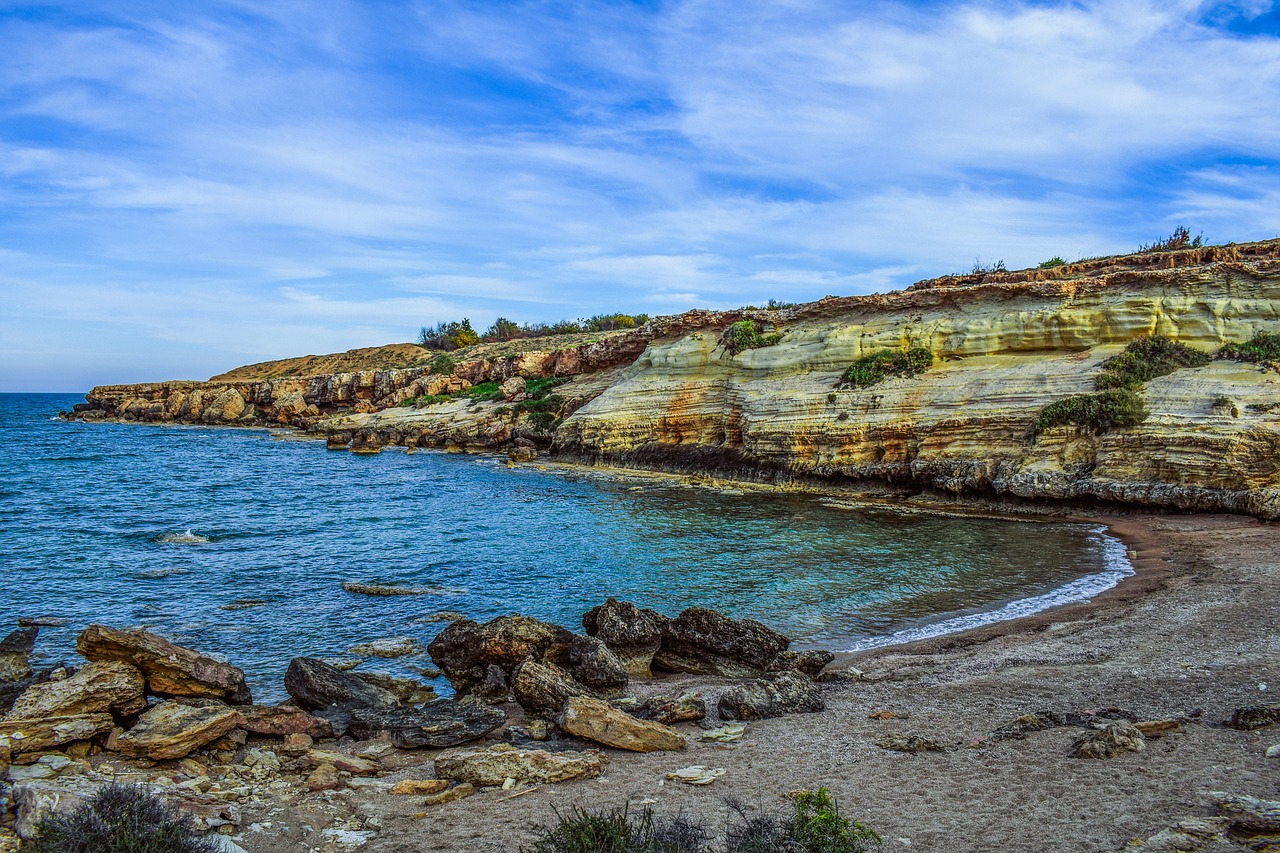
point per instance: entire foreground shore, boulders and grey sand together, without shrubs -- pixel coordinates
(1145, 722)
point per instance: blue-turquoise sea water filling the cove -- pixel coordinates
(166, 526)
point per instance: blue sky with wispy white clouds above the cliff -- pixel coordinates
(186, 188)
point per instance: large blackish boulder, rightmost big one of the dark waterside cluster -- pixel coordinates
(707, 642)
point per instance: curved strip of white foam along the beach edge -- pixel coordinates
(1116, 568)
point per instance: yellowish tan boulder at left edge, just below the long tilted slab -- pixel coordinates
(111, 687)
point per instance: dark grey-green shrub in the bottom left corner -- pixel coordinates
(120, 819)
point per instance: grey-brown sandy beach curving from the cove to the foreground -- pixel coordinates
(1191, 637)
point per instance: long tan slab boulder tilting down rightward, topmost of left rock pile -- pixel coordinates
(171, 670)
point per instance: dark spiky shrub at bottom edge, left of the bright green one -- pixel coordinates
(619, 832)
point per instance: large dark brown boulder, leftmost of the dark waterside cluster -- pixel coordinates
(465, 650)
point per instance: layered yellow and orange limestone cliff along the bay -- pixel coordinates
(1004, 345)
